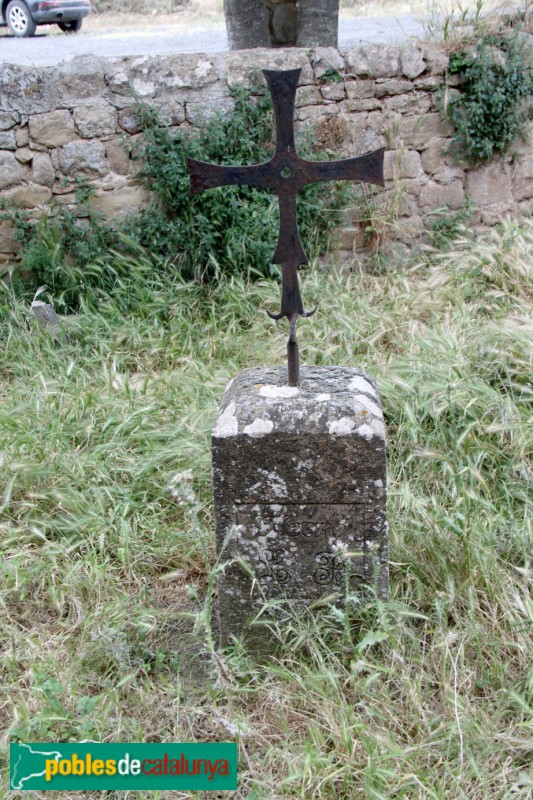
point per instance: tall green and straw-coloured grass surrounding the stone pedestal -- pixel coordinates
(107, 532)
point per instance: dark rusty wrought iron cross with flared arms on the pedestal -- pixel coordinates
(285, 174)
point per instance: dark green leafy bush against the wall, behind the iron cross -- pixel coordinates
(234, 228)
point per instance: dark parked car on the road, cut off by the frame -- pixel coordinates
(23, 16)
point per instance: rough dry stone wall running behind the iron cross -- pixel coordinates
(79, 119)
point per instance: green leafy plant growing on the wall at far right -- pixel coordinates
(487, 112)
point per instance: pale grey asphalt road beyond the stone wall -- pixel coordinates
(48, 47)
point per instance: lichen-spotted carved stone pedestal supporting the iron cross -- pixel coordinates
(300, 490)
